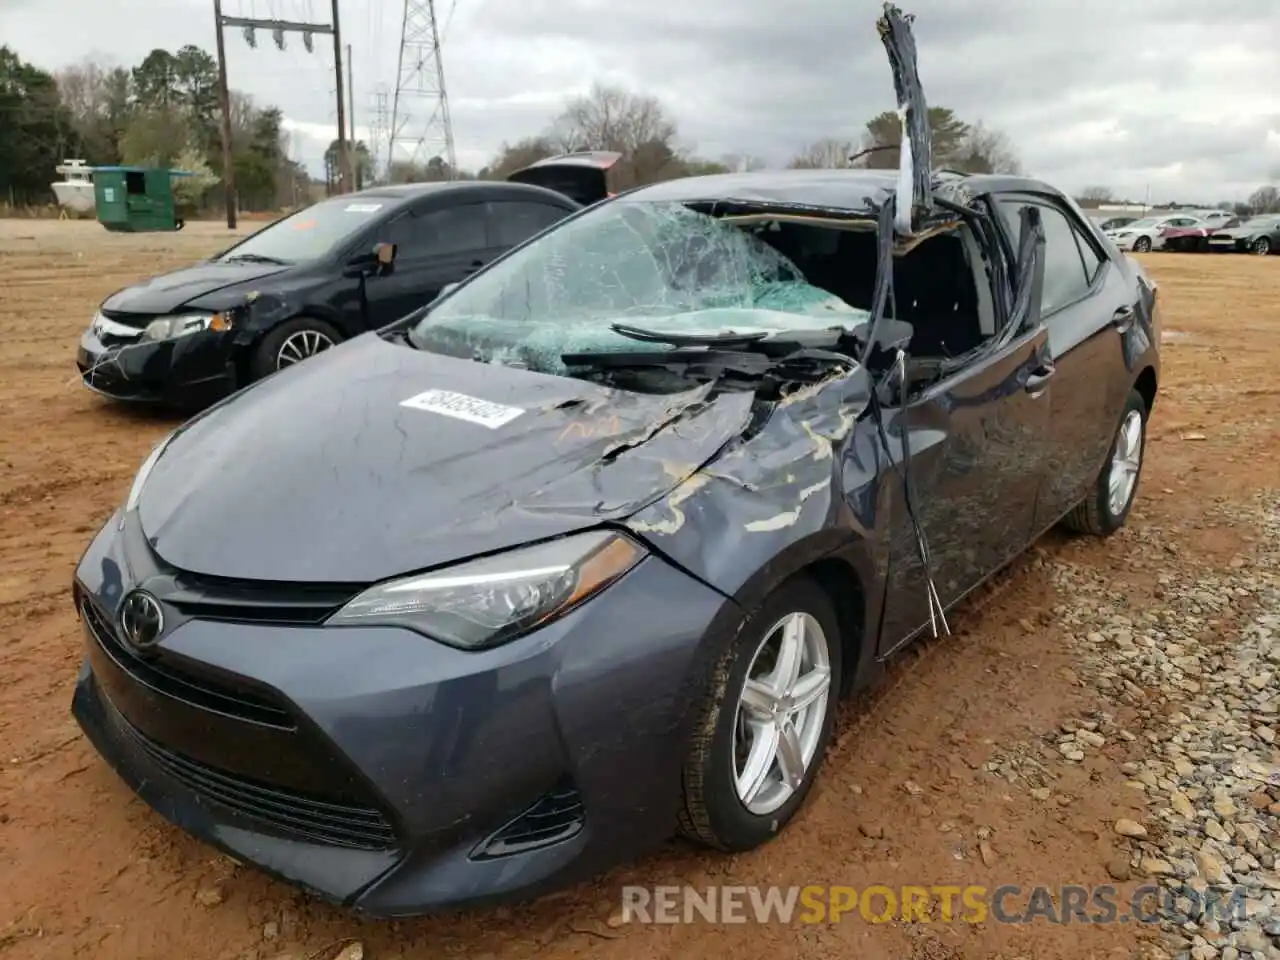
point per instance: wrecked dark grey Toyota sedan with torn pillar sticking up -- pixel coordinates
(589, 550)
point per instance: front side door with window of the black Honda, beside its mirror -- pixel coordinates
(435, 248)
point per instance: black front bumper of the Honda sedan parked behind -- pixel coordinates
(186, 372)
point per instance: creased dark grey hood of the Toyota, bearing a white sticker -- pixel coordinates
(319, 474)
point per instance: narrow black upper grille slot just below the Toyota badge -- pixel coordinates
(171, 680)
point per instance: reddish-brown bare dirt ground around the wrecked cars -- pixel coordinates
(88, 870)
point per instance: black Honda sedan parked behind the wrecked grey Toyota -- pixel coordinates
(316, 278)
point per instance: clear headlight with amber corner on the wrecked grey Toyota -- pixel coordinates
(491, 601)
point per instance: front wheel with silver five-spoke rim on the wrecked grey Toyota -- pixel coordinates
(766, 721)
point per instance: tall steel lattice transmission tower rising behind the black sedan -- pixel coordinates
(420, 108)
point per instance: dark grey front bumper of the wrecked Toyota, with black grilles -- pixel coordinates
(382, 771)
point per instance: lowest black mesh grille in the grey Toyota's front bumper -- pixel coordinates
(291, 813)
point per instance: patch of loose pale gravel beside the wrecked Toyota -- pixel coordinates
(1197, 678)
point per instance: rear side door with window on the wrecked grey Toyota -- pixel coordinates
(1087, 308)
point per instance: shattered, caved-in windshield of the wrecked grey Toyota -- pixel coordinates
(659, 266)
